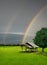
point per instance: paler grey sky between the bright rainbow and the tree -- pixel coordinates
(40, 22)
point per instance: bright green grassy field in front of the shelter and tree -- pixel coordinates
(12, 55)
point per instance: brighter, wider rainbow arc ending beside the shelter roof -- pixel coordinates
(31, 22)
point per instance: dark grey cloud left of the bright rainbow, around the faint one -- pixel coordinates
(23, 10)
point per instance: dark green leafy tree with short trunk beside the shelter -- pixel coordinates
(41, 38)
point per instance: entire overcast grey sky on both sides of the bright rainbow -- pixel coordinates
(15, 15)
